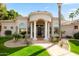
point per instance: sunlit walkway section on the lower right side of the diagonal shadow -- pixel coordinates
(58, 51)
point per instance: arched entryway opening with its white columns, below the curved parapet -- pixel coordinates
(40, 29)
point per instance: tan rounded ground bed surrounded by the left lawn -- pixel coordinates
(12, 43)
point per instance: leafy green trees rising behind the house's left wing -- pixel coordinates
(5, 14)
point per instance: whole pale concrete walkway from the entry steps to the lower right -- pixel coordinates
(56, 50)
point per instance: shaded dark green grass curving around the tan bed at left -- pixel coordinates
(4, 51)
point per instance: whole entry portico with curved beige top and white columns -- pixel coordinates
(40, 23)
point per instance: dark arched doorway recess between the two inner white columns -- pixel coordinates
(40, 28)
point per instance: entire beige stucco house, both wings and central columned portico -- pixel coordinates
(38, 24)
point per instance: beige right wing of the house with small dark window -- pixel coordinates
(70, 27)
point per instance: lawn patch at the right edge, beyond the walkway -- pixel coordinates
(74, 45)
